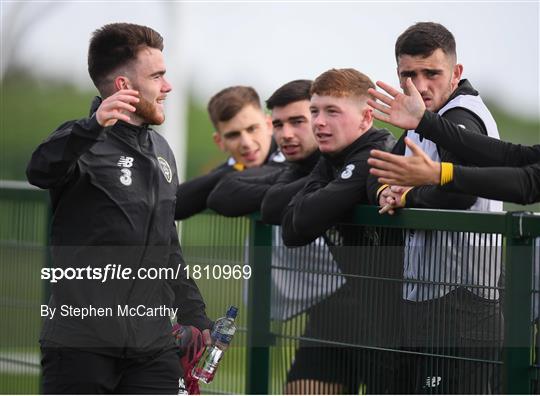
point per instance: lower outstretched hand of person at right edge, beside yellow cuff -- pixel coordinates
(416, 170)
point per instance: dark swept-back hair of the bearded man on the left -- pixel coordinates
(115, 45)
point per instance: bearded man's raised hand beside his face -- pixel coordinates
(116, 107)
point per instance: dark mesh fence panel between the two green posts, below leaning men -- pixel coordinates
(389, 311)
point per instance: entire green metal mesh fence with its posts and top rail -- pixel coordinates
(280, 315)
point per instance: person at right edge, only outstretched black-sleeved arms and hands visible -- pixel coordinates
(494, 160)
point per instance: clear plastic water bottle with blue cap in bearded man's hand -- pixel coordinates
(222, 334)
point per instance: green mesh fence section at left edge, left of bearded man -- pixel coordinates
(23, 231)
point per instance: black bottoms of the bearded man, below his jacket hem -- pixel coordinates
(72, 371)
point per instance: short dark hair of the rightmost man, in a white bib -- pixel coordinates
(424, 38)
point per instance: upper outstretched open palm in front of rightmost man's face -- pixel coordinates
(404, 110)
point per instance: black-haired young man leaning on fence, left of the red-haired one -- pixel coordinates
(301, 277)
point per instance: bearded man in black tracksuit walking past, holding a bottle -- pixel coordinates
(113, 181)
